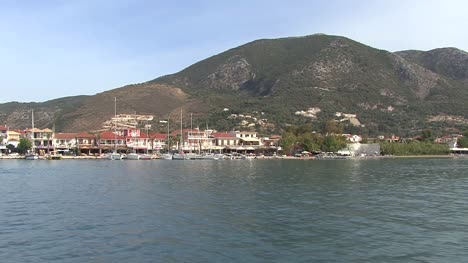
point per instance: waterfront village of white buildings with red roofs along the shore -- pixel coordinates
(121, 136)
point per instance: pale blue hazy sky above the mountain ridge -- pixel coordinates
(51, 49)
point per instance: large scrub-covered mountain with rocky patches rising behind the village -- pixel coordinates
(272, 83)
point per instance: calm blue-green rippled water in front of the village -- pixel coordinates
(234, 211)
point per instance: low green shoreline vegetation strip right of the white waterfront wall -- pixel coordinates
(414, 148)
